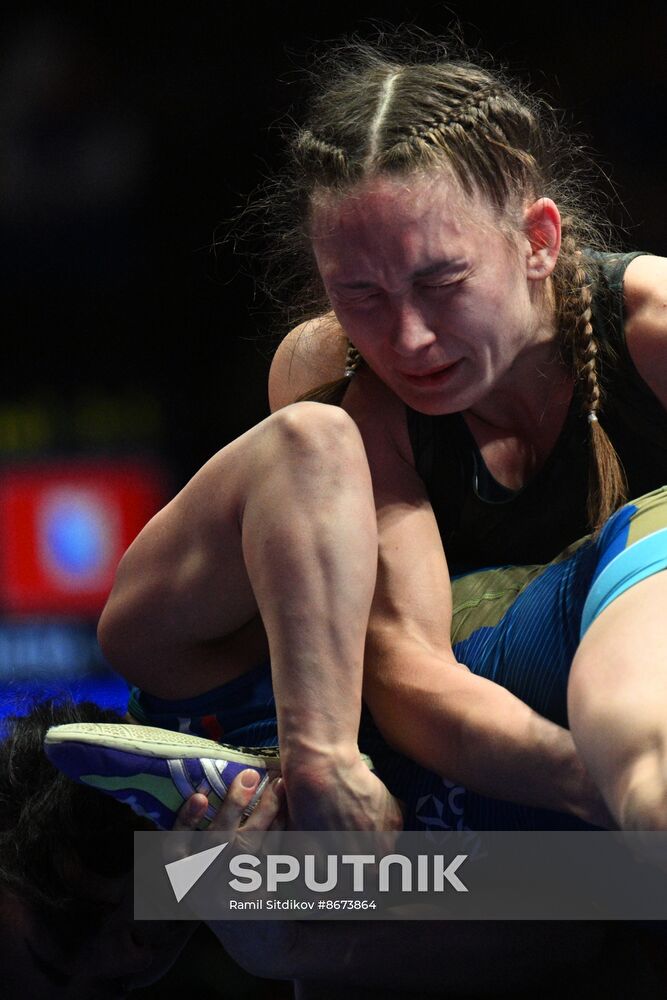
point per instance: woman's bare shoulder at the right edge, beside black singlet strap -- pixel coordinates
(645, 291)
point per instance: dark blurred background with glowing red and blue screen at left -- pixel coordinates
(130, 132)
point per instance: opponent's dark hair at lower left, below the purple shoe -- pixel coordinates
(48, 823)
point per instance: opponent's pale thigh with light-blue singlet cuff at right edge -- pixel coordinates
(617, 693)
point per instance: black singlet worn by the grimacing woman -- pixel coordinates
(484, 524)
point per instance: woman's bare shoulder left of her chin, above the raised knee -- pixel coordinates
(311, 354)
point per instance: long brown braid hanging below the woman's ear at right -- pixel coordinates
(607, 486)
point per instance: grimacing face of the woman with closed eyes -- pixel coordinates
(431, 286)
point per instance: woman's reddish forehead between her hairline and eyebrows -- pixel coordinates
(413, 216)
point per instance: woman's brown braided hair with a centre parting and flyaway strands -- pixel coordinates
(405, 106)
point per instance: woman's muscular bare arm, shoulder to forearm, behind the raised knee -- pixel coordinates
(427, 705)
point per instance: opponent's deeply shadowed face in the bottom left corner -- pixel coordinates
(83, 960)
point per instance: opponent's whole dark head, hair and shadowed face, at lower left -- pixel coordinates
(66, 924)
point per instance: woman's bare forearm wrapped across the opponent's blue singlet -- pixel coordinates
(473, 731)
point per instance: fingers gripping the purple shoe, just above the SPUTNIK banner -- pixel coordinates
(268, 814)
